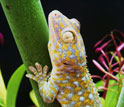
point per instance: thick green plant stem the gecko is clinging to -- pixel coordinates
(29, 28)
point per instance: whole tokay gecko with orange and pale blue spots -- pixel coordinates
(69, 81)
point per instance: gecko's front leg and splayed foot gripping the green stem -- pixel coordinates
(47, 88)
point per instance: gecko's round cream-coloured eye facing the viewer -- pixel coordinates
(68, 37)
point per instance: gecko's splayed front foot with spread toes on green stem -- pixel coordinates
(39, 73)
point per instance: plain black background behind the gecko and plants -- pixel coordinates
(97, 18)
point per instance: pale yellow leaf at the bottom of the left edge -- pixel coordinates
(2, 88)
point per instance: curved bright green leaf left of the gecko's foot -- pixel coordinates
(13, 86)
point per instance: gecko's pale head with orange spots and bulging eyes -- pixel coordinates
(65, 42)
